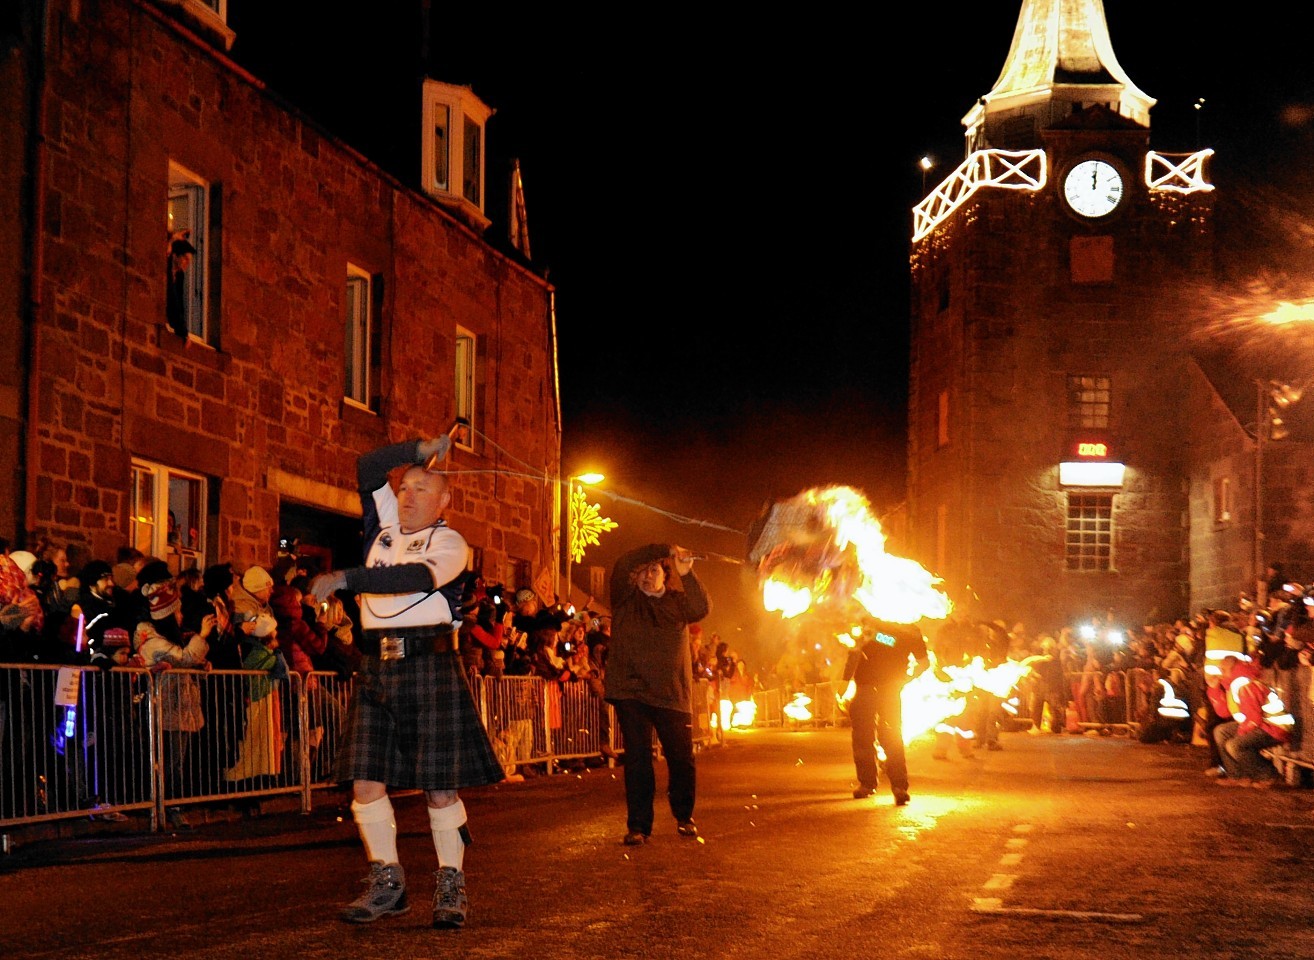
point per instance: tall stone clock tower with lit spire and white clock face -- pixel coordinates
(1051, 278)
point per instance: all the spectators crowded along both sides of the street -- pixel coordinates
(60, 606)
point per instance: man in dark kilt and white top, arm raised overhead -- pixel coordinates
(413, 722)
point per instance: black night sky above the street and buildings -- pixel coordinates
(725, 207)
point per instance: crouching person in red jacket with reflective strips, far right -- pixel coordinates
(1261, 722)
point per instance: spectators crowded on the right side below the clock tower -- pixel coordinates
(1162, 682)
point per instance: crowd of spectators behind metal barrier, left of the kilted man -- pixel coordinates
(135, 610)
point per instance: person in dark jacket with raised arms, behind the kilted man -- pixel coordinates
(655, 597)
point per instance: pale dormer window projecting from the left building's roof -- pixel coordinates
(453, 149)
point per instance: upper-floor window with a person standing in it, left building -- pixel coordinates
(187, 253)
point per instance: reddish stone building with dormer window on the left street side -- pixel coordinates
(328, 307)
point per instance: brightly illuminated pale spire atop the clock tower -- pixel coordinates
(1061, 62)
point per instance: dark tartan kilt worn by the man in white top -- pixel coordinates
(413, 726)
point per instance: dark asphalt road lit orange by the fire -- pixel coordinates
(1054, 848)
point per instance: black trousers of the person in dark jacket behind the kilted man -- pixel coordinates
(675, 732)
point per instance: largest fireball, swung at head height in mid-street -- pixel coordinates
(826, 550)
